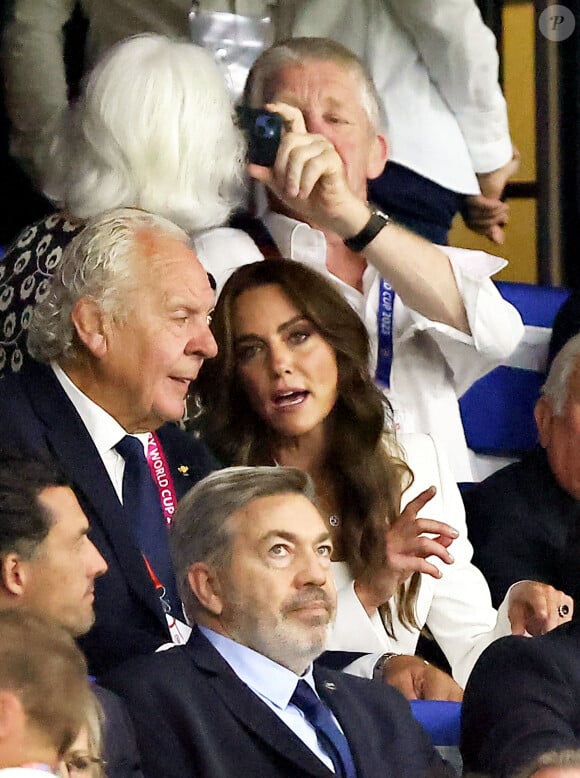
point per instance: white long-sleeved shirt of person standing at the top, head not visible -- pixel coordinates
(435, 66)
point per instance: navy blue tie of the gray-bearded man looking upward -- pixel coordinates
(331, 739)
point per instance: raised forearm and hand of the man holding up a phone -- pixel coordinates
(309, 178)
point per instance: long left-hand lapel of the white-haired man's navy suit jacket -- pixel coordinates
(73, 448)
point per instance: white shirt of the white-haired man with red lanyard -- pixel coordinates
(104, 430)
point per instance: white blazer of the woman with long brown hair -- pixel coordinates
(457, 607)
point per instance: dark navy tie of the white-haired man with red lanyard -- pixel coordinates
(142, 505)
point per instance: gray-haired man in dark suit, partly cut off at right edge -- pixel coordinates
(524, 520)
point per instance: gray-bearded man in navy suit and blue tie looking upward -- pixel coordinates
(252, 559)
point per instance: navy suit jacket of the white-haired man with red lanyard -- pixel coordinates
(36, 416)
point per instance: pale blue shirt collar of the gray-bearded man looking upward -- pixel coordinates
(265, 677)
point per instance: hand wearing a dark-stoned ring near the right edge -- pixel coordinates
(537, 608)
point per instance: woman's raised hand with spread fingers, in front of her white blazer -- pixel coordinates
(407, 549)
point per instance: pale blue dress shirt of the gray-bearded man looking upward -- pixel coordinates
(273, 684)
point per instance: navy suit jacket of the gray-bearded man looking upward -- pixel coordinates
(195, 718)
